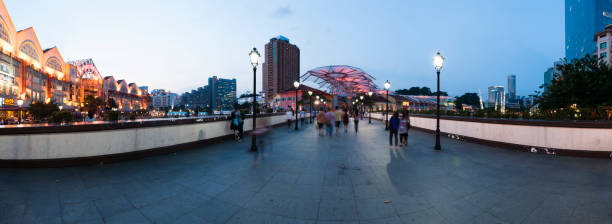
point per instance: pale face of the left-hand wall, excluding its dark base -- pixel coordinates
(106, 142)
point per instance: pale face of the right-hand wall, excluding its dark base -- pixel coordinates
(570, 138)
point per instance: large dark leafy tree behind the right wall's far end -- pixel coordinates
(583, 83)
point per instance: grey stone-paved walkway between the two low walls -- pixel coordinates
(351, 178)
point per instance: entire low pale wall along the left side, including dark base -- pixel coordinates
(99, 140)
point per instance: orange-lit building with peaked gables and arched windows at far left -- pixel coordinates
(30, 74)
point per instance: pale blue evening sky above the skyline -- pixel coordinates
(177, 45)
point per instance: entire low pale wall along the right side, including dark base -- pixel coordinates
(551, 137)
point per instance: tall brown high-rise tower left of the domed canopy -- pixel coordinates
(281, 67)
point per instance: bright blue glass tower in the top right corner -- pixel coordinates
(584, 18)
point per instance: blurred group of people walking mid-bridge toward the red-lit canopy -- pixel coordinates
(328, 119)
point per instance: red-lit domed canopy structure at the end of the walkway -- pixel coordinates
(341, 79)
